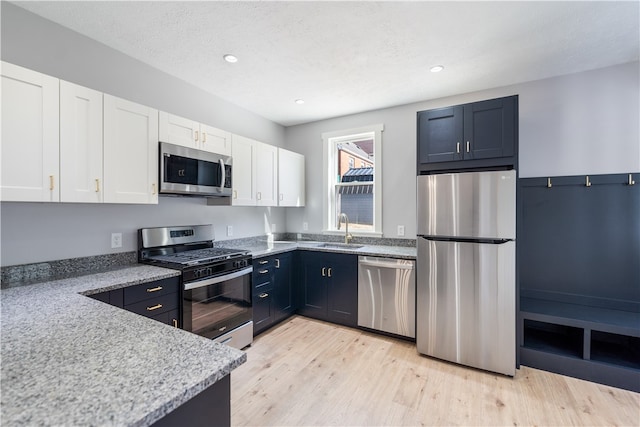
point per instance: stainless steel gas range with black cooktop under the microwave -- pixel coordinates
(216, 282)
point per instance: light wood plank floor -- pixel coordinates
(306, 372)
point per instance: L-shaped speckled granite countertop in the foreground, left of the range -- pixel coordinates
(71, 360)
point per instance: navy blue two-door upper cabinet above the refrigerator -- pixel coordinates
(476, 135)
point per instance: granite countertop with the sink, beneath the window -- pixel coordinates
(265, 248)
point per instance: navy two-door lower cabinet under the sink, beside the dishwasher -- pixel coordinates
(329, 287)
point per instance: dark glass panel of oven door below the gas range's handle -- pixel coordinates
(213, 310)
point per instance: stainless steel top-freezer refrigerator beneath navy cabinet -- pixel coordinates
(465, 295)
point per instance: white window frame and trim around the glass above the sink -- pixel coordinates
(329, 141)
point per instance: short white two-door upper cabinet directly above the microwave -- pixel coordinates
(189, 133)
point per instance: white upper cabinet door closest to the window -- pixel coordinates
(291, 183)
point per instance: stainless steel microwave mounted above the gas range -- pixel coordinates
(191, 172)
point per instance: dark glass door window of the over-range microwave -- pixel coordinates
(183, 170)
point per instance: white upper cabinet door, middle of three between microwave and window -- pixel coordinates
(266, 170)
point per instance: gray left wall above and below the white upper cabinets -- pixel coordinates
(34, 232)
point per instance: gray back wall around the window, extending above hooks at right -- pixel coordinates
(584, 123)
